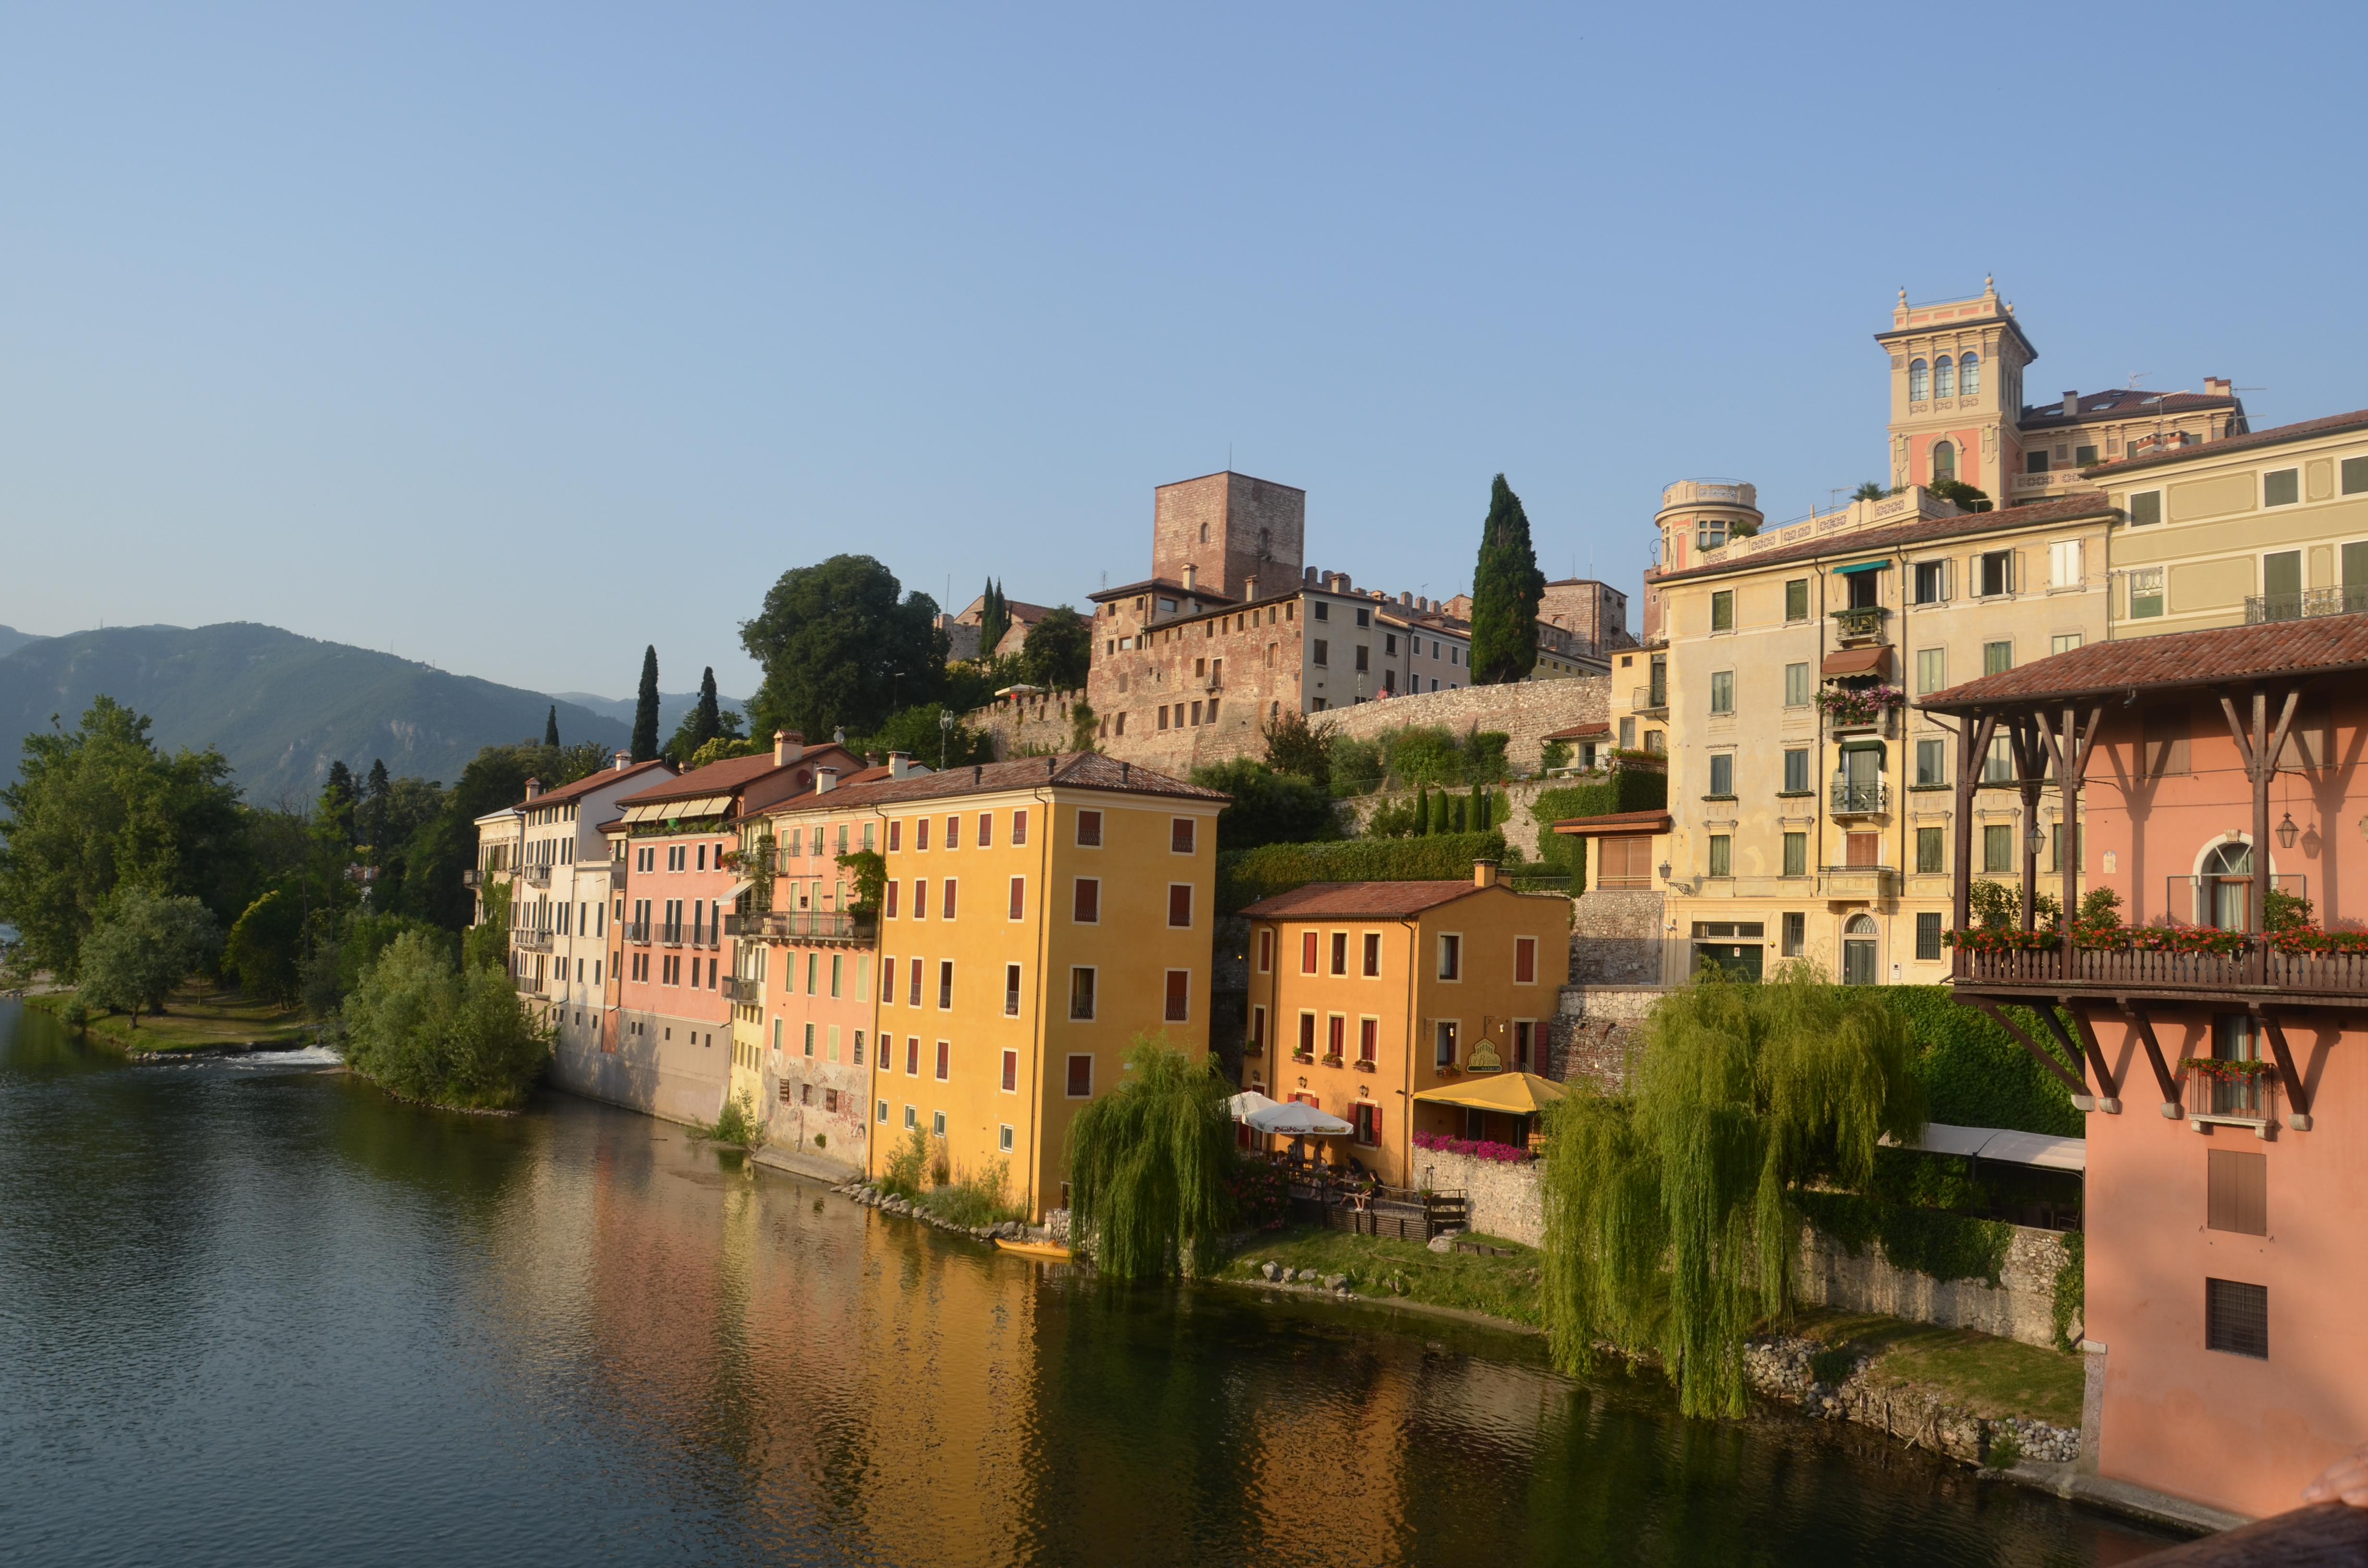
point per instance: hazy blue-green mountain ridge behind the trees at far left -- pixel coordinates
(281, 707)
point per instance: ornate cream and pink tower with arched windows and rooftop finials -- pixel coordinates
(1957, 392)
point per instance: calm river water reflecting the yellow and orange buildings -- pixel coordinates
(257, 1313)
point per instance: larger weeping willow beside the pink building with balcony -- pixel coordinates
(1671, 1219)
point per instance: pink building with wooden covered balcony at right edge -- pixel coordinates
(2220, 778)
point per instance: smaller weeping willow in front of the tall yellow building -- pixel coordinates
(1147, 1167)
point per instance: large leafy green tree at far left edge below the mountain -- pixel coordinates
(101, 809)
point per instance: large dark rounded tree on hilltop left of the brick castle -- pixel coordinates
(842, 648)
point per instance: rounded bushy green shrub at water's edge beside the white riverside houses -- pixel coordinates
(439, 1034)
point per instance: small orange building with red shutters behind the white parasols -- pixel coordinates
(1368, 994)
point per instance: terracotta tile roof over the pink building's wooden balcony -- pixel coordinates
(2319, 645)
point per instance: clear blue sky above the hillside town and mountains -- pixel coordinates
(517, 338)
